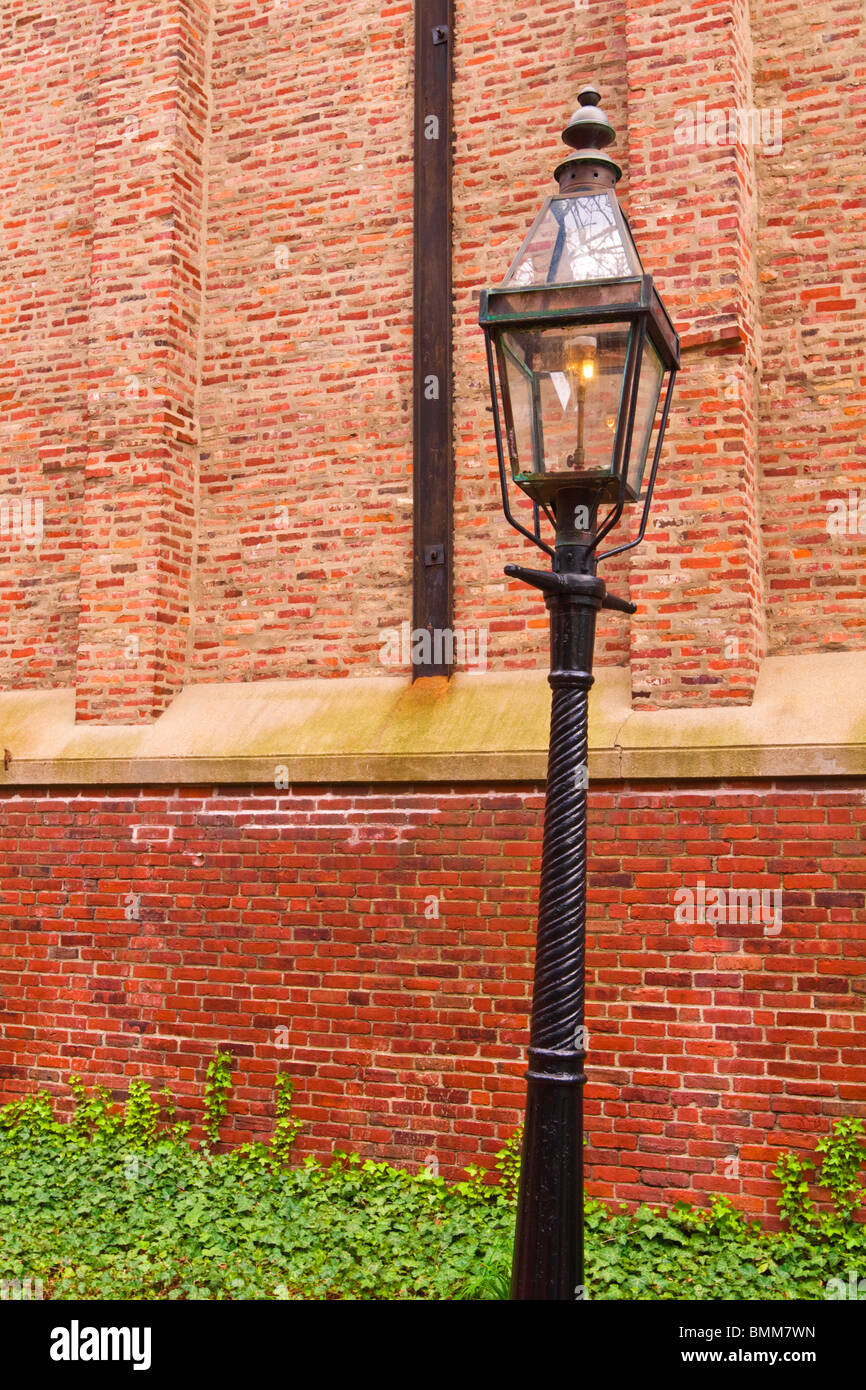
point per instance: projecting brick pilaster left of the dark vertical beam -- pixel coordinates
(145, 308)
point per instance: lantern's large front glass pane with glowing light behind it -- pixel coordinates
(562, 397)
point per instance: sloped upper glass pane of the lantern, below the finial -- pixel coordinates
(576, 238)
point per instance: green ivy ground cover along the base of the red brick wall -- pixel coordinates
(119, 1204)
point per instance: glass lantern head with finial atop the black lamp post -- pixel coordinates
(579, 341)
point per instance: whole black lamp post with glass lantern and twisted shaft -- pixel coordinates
(579, 348)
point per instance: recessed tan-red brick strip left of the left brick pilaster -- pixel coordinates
(48, 115)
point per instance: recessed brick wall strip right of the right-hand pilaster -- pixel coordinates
(812, 291)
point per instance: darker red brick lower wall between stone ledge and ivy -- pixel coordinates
(141, 931)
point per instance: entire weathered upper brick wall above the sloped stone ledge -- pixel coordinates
(208, 332)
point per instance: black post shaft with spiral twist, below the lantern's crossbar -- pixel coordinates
(550, 1238)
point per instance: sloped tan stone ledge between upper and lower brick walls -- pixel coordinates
(808, 719)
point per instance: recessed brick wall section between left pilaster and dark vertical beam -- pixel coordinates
(307, 409)
